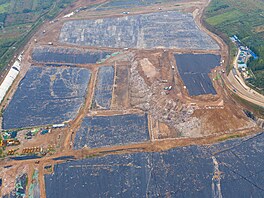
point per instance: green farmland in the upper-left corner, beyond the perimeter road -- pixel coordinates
(18, 21)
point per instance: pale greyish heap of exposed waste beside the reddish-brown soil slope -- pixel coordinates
(147, 93)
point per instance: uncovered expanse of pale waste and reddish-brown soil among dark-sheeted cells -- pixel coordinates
(173, 112)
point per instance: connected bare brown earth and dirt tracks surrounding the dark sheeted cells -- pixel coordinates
(175, 119)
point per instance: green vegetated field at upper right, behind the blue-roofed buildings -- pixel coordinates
(245, 18)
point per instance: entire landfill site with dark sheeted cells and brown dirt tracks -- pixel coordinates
(121, 99)
